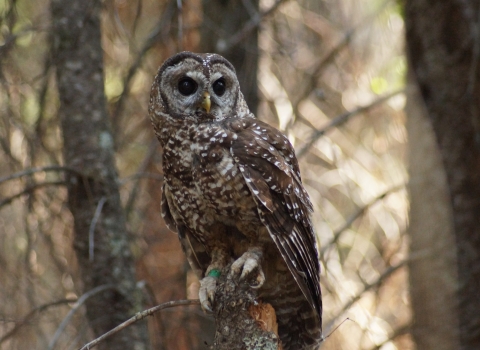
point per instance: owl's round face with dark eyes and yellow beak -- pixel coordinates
(199, 86)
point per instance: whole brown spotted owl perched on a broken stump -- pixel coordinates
(233, 192)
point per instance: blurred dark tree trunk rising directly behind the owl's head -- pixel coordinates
(221, 20)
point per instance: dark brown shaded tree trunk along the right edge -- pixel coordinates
(442, 41)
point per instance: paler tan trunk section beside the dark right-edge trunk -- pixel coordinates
(433, 264)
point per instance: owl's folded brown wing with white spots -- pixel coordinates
(267, 161)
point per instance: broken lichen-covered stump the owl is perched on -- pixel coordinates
(241, 321)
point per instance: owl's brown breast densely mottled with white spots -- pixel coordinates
(202, 178)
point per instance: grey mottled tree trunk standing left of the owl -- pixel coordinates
(94, 199)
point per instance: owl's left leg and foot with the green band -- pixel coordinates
(208, 284)
